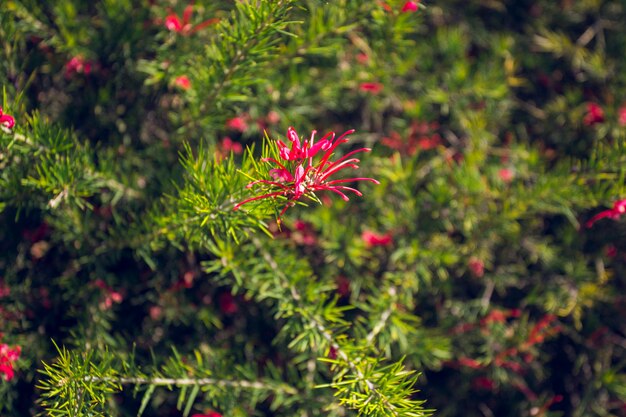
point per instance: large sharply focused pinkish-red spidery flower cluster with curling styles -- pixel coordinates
(299, 173)
